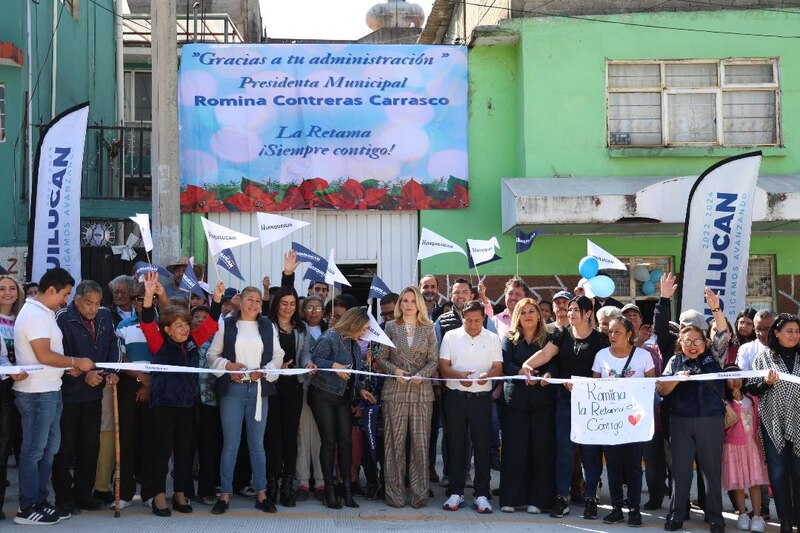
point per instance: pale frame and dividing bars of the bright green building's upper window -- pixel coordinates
(719, 90)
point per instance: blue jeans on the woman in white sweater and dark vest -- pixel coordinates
(239, 403)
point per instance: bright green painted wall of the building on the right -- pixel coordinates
(537, 109)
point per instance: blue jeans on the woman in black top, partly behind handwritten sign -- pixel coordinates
(565, 452)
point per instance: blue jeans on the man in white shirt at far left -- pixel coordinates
(41, 437)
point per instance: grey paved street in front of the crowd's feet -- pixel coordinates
(311, 516)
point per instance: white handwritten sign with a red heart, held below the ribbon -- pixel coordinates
(612, 411)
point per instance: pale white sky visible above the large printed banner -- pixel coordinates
(320, 19)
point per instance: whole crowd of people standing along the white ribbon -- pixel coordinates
(283, 439)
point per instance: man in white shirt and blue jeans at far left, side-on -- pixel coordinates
(38, 341)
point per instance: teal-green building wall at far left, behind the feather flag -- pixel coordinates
(85, 66)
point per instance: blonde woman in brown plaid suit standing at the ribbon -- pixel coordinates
(408, 399)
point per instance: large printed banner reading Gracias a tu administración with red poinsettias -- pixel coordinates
(267, 127)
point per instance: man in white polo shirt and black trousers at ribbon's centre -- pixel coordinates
(469, 354)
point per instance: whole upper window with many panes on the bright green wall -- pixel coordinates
(731, 102)
